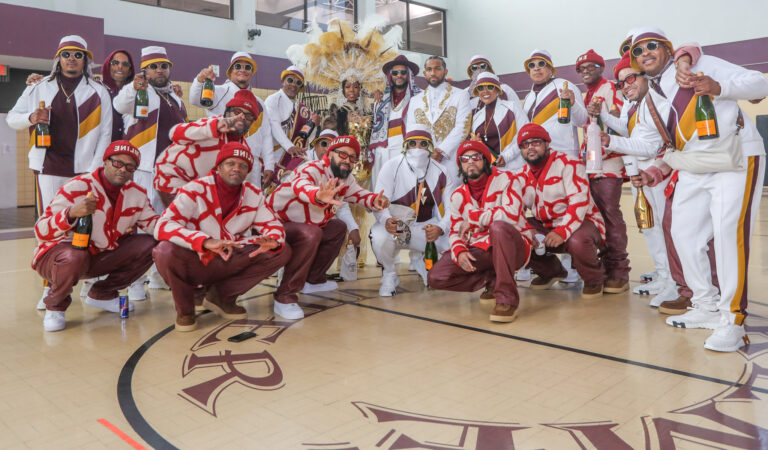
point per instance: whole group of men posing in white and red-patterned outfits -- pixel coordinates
(497, 184)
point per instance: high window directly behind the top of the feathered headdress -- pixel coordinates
(295, 14)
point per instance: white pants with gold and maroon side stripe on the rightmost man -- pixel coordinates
(722, 206)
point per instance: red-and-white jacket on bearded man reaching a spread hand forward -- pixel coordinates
(294, 200)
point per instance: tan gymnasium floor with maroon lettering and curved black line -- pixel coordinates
(423, 369)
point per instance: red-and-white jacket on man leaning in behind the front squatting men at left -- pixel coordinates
(191, 155)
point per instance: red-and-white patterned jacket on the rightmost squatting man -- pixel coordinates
(560, 198)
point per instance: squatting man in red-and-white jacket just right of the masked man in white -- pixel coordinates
(490, 238)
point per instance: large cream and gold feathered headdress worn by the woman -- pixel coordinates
(343, 54)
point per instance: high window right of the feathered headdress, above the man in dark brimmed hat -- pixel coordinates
(423, 26)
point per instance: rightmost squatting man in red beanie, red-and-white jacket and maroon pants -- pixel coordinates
(557, 192)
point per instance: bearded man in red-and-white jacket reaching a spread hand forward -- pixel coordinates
(306, 203)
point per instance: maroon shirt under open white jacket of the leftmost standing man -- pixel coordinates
(60, 157)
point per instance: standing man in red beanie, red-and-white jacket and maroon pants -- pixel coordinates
(606, 187)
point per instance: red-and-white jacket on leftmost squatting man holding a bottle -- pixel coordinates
(110, 222)
